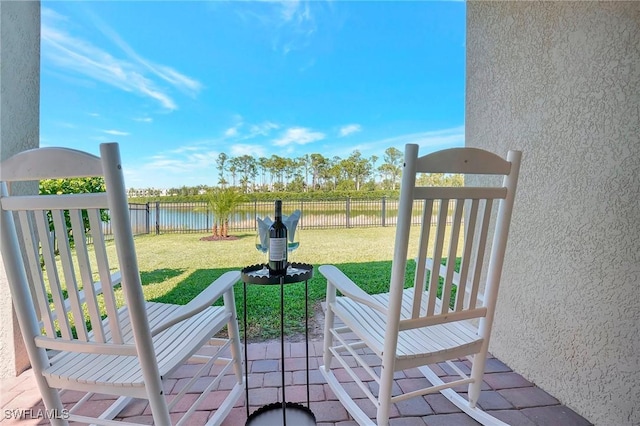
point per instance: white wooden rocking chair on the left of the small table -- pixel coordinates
(85, 324)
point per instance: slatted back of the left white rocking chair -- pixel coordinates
(58, 256)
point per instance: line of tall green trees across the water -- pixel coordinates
(310, 172)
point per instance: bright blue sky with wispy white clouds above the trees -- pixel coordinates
(176, 83)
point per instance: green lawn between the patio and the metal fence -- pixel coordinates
(176, 267)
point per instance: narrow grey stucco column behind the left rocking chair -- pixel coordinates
(19, 130)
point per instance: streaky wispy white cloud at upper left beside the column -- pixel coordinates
(133, 74)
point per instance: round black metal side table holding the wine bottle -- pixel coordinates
(279, 412)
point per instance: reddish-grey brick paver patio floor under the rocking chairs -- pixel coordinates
(505, 394)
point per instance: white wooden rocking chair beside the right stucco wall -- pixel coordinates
(420, 326)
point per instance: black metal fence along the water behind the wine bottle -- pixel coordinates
(166, 217)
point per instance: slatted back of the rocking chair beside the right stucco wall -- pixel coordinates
(452, 238)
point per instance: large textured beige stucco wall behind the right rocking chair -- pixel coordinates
(561, 81)
